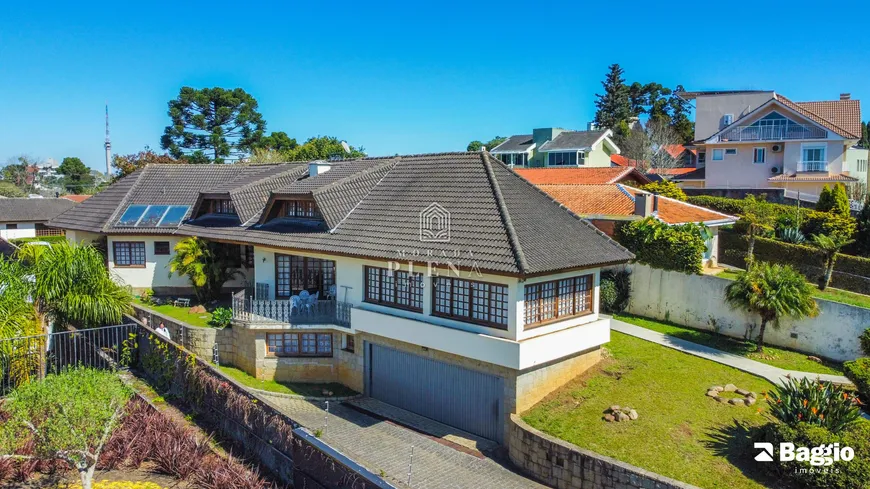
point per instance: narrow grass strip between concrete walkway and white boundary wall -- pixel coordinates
(777, 357)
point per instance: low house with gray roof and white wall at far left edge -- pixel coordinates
(27, 218)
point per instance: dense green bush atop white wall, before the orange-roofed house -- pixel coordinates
(679, 248)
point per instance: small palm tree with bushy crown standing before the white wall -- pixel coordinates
(772, 292)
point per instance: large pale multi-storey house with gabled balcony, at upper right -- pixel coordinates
(761, 139)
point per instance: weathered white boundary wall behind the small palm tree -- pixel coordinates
(698, 301)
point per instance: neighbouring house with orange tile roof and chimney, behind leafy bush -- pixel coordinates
(608, 205)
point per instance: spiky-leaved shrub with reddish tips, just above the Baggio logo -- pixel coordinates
(811, 402)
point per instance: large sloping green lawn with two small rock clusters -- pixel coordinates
(680, 433)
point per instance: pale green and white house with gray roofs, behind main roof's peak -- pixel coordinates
(552, 146)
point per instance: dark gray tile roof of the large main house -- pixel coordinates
(499, 222)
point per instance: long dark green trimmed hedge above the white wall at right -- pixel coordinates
(850, 272)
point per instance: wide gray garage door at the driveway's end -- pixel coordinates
(456, 396)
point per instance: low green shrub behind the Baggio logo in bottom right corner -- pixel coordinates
(853, 474)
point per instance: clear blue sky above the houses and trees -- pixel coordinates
(403, 77)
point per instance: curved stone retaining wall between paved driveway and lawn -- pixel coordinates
(558, 463)
